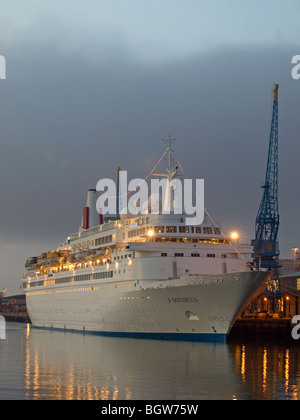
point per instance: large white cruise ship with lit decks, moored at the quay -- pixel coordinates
(143, 276)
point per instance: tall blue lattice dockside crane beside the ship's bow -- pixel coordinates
(265, 245)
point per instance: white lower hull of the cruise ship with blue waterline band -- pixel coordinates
(199, 308)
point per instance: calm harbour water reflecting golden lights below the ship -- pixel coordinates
(37, 364)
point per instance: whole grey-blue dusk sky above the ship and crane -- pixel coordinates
(96, 84)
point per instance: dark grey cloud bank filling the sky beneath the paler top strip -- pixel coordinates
(69, 119)
